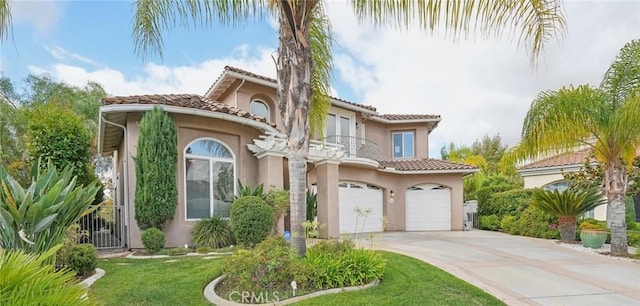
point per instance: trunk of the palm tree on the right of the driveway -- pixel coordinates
(616, 185)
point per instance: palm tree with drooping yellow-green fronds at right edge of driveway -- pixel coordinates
(606, 118)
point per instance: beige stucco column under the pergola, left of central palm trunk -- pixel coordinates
(271, 175)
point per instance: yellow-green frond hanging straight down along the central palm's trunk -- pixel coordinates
(320, 44)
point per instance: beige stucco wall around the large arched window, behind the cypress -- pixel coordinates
(190, 128)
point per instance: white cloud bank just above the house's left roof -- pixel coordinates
(157, 79)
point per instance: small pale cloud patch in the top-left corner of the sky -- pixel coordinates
(43, 14)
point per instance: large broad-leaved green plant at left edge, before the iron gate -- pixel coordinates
(36, 219)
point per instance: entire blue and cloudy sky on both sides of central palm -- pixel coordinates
(478, 86)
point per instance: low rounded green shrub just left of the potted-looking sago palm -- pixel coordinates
(537, 223)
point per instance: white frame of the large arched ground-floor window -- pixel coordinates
(210, 159)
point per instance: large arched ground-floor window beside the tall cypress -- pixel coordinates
(209, 179)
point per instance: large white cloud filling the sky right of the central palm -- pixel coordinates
(479, 87)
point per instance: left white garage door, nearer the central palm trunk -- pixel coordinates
(363, 197)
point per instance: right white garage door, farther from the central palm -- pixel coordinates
(428, 208)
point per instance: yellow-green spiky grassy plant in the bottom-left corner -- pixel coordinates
(27, 279)
